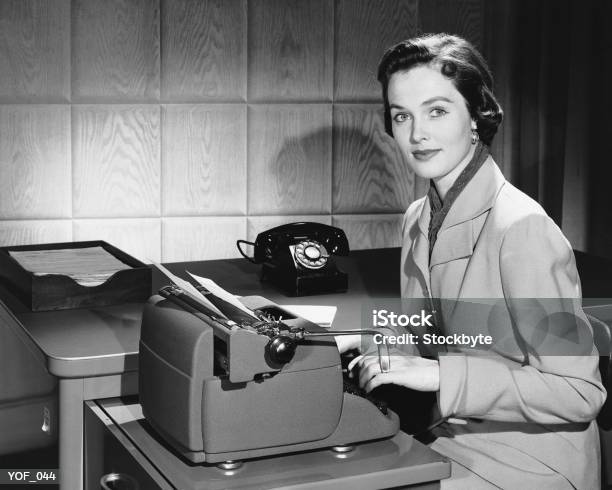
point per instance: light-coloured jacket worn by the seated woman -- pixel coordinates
(530, 412)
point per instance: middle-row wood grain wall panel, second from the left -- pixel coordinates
(116, 161)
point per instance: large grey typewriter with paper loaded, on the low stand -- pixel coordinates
(224, 389)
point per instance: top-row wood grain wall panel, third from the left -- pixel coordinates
(203, 50)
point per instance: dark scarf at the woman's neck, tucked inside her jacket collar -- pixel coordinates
(440, 209)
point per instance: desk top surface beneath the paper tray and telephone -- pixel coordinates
(104, 340)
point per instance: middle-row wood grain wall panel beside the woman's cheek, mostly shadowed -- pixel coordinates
(369, 171)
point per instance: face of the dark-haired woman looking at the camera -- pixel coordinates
(431, 124)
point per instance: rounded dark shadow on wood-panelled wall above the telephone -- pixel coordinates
(339, 170)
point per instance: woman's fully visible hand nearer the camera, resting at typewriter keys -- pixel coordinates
(412, 372)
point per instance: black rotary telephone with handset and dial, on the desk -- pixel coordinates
(298, 257)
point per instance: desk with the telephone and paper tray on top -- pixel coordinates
(93, 353)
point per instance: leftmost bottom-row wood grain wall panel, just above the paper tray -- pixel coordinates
(30, 232)
